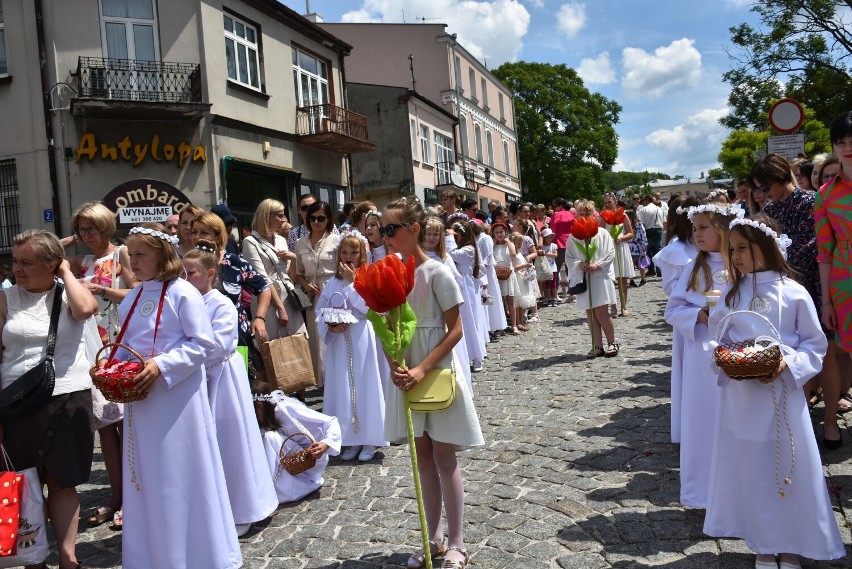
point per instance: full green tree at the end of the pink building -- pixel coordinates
(566, 133)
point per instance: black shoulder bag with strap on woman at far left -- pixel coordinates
(34, 388)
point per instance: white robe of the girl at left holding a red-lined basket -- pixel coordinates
(180, 517)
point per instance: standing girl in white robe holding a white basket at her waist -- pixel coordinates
(353, 390)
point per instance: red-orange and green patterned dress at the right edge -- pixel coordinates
(833, 215)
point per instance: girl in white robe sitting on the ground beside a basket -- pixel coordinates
(279, 417)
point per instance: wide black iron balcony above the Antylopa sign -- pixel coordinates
(138, 90)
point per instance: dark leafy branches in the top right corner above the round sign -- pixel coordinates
(804, 42)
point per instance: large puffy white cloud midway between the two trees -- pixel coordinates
(669, 69)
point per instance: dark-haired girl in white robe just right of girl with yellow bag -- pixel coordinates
(466, 256)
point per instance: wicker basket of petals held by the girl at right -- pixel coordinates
(751, 359)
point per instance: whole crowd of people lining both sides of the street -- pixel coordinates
(194, 299)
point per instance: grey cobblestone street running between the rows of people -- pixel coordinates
(577, 471)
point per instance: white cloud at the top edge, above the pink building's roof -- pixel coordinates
(492, 30)
